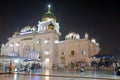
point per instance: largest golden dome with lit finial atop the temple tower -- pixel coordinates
(48, 15)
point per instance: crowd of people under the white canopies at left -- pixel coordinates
(12, 67)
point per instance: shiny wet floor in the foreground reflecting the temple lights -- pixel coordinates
(61, 75)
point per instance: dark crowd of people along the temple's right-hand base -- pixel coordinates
(83, 65)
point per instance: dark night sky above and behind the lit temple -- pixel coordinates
(101, 20)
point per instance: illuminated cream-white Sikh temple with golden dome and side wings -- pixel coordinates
(42, 43)
